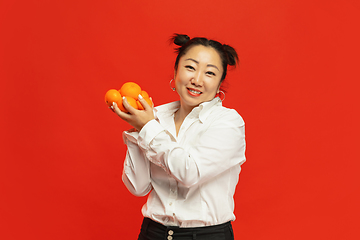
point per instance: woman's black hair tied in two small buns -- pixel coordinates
(227, 53)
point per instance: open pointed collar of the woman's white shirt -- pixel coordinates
(202, 111)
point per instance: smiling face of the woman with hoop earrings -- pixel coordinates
(197, 78)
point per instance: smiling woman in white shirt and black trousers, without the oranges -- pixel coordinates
(187, 154)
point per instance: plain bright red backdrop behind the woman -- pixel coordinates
(296, 87)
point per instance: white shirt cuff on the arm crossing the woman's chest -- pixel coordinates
(148, 133)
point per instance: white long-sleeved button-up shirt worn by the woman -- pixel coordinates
(191, 177)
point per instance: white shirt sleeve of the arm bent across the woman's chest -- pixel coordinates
(215, 149)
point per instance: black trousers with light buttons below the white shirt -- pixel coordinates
(151, 230)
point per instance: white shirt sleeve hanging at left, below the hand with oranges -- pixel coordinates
(136, 174)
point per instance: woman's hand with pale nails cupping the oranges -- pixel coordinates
(136, 118)
